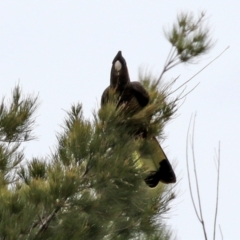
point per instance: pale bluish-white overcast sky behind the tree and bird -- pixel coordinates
(62, 50)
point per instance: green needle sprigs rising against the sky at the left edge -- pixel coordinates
(16, 126)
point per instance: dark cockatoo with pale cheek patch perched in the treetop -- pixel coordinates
(135, 97)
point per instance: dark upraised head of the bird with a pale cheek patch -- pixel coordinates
(119, 72)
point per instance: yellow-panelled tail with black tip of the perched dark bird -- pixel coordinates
(158, 167)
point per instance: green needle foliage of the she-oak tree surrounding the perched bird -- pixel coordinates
(92, 186)
